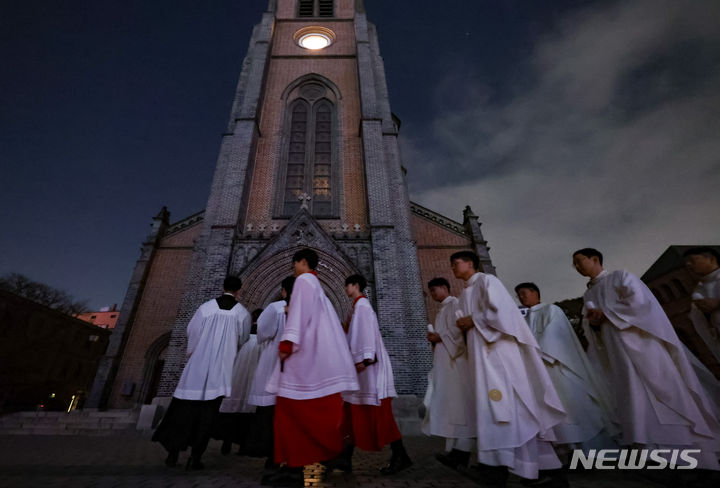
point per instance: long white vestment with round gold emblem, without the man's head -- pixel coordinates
(516, 403)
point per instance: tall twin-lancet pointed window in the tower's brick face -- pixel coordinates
(309, 170)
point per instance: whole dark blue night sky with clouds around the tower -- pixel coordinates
(564, 124)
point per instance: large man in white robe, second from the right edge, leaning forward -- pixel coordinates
(661, 402)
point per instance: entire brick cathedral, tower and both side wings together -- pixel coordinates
(310, 158)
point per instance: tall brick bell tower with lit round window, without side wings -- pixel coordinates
(310, 158)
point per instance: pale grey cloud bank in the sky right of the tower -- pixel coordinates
(569, 163)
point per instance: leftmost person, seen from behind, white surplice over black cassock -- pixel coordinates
(215, 333)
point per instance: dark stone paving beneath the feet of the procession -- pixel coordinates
(134, 461)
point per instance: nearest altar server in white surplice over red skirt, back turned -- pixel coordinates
(315, 367)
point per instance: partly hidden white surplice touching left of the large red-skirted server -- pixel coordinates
(271, 325)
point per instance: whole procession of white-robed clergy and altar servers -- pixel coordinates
(520, 392)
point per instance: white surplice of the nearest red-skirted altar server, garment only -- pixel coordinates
(320, 364)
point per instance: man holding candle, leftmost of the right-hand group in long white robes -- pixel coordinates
(449, 403)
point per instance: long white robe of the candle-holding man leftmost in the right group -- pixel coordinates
(450, 409)
